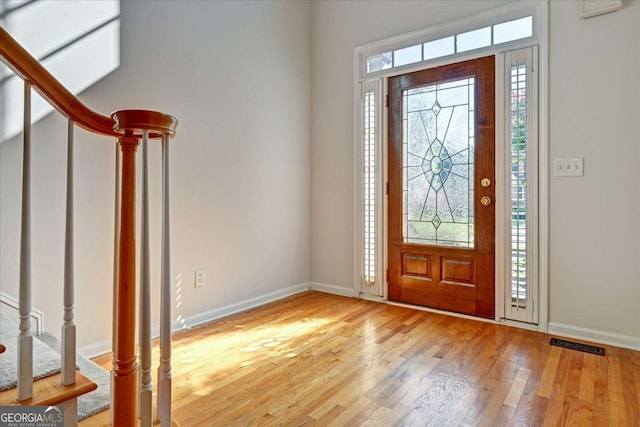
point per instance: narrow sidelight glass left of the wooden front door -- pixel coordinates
(369, 190)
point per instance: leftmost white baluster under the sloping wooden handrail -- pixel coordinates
(25, 340)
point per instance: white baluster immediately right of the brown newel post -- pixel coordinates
(146, 388)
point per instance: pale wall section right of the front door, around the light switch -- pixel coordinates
(594, 113)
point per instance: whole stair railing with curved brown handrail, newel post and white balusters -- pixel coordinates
(130, 128)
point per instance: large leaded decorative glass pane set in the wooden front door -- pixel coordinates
(438, 140)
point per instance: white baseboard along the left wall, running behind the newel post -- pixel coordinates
(181, 323)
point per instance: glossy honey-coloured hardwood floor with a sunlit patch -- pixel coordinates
(324, 360)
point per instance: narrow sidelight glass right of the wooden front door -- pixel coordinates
(518, 185)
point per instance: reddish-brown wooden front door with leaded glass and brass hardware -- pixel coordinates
(442, 188)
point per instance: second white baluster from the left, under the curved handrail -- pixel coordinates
(68, 331)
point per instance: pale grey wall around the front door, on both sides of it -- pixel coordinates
(595, 236)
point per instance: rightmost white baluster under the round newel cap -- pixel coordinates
(164, 370)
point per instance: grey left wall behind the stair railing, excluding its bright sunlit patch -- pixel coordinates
(237, 76)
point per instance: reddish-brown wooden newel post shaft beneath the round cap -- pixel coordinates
(125, 369)
